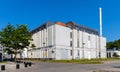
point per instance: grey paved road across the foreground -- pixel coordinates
(62, 67)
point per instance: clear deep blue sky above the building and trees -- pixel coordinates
(85, 12)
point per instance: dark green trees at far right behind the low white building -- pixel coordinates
(113, 44)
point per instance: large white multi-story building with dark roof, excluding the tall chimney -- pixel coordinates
(56, 40)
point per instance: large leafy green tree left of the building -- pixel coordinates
(15, 39)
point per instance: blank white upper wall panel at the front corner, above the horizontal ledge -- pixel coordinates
(62, 36)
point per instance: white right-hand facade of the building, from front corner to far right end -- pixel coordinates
(90, 49)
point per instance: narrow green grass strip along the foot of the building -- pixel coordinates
(81, 61)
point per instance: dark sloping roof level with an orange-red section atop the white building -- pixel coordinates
(70, 24)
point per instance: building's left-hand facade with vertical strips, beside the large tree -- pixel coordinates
(44, 42)
